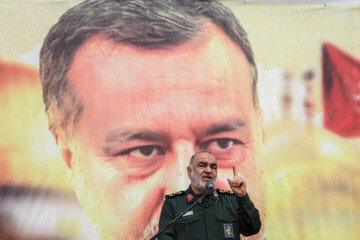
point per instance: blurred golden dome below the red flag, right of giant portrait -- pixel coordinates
(312, 185)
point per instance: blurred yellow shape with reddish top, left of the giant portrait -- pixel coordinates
(29, 155)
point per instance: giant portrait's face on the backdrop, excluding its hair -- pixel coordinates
(145, 113)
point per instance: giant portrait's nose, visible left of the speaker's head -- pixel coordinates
(179, 180)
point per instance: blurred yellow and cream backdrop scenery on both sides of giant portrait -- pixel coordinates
(308, 58)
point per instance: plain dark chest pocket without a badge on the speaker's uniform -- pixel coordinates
(188, 228)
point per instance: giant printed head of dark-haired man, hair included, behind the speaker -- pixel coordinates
(133, 89)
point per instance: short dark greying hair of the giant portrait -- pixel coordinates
(146, 24)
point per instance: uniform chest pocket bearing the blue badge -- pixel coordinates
(227, 226)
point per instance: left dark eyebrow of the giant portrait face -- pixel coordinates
(143, 135)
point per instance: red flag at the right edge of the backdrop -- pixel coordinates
(341, 91)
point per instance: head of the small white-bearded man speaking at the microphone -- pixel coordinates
(202, 170)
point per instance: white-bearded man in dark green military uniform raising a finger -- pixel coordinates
(232, 215)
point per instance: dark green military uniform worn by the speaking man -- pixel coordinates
(229, 217)
